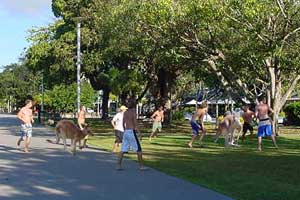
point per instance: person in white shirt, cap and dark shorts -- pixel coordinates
(117, 123)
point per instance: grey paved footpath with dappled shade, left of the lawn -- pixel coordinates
(50, 173)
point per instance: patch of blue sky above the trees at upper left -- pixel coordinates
(16, 18)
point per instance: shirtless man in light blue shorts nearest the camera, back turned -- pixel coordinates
(130, 139)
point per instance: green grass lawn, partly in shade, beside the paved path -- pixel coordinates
(239, 172)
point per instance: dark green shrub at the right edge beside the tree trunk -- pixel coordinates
(292, 112)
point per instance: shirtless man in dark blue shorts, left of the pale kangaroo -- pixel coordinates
(199, 115)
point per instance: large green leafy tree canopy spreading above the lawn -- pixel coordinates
(133, 47)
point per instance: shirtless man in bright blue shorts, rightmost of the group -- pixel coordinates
(265, 125)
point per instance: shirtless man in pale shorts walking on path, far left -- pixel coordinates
(26, 118)
